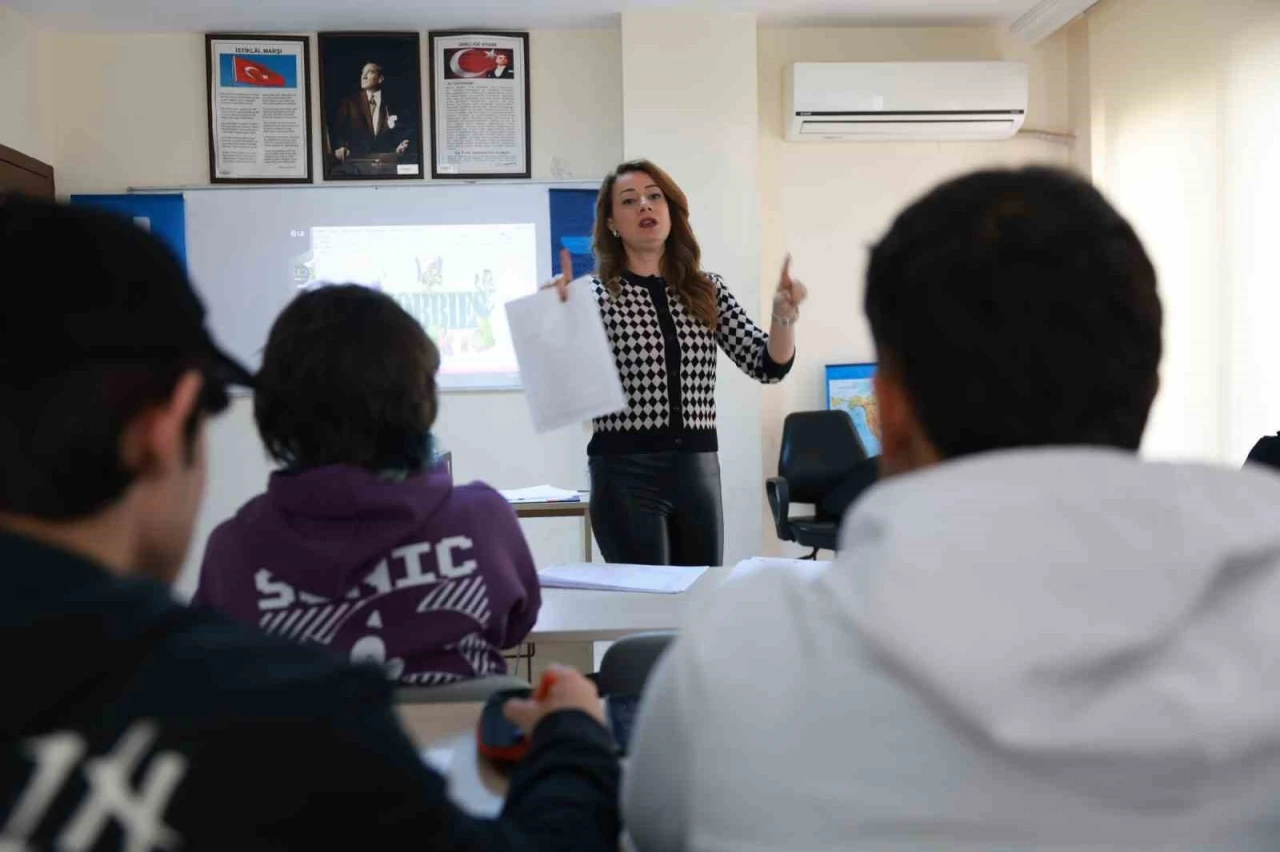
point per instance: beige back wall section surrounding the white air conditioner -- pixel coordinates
(826, 201)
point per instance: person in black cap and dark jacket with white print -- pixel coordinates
(131, 722)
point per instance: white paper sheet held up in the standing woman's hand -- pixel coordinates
(566, 365)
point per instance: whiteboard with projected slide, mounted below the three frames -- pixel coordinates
(252, 250)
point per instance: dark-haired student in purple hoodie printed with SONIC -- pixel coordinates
(359, 544)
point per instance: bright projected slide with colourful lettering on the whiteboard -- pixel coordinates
(454, 280)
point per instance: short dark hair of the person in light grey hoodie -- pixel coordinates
(1018, 309)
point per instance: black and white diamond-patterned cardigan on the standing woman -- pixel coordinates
(668, 364)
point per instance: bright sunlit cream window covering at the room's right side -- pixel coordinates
(1185, 126)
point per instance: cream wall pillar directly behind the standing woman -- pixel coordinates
(703, 130)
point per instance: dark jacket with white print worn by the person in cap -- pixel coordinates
(132, 722)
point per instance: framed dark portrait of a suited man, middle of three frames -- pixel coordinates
(372, 106)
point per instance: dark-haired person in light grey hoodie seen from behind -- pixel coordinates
(1031, 640)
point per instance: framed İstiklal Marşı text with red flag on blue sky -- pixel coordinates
(259, 109)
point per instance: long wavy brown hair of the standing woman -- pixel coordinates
(682, 258)
